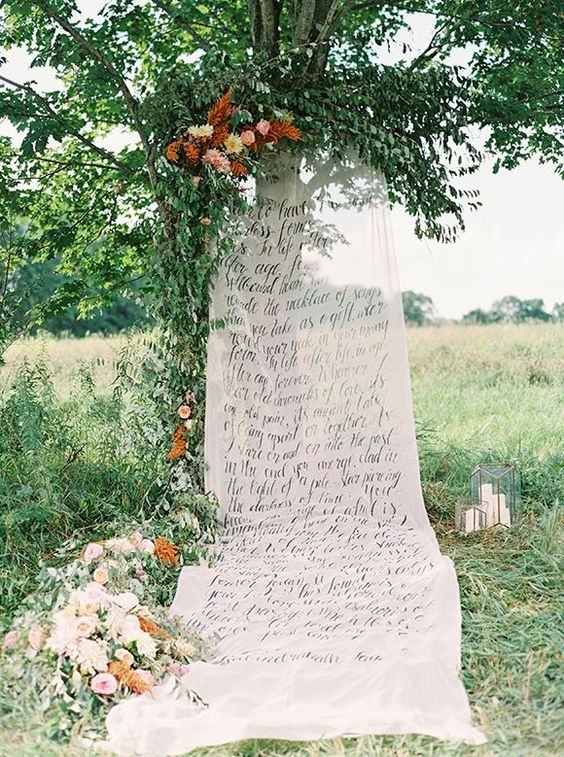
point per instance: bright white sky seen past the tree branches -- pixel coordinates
(512, 245)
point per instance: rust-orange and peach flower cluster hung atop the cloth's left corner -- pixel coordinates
(228, 143)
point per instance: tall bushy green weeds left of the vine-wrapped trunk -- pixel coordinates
(72, 465)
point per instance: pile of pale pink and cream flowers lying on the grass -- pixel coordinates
(93, 633)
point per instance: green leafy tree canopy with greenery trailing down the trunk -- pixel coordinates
(143, 73)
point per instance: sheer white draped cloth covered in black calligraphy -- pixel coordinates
(334, 610)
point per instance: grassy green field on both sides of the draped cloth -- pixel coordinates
(480, 394)
